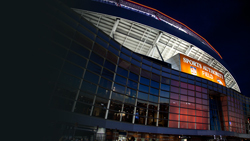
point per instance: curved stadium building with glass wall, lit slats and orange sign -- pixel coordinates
(121, 69)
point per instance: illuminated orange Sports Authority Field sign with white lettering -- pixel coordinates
(194, 67)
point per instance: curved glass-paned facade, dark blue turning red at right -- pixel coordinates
(96, 76)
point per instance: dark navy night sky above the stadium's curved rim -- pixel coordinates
(225, 24)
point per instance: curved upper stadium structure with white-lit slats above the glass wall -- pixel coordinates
(142, 33)
